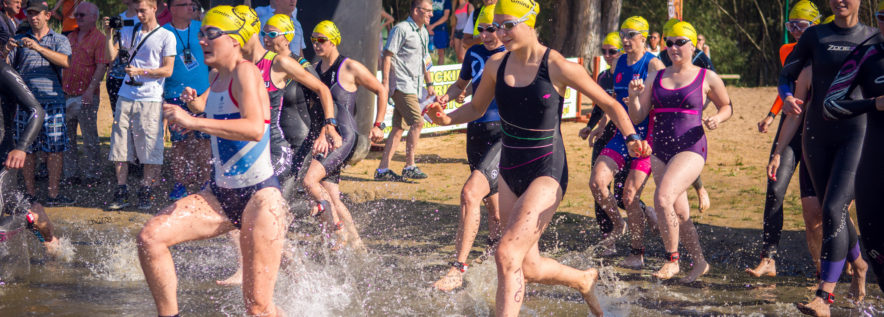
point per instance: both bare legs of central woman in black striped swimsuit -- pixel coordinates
(518, 260)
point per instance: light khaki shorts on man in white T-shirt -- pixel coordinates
(138, 130)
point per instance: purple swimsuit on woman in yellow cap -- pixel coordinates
(676, 119)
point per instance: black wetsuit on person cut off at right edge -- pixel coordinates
(865, 69)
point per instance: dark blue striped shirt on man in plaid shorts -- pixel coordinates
(41, 76)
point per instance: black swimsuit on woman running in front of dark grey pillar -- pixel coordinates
(345, 108)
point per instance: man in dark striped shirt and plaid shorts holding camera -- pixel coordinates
(39, 60)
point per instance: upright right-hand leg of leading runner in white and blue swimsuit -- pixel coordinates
(262, 238)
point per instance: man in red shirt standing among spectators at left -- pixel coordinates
(81, 85)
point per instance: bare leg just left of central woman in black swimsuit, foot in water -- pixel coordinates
(475, 188)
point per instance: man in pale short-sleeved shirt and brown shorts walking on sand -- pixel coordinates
(407, 61)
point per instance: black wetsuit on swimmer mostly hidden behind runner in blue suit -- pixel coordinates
(606, 81)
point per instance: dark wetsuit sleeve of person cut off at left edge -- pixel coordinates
(11, 84)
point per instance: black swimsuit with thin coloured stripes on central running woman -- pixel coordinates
(530, 119)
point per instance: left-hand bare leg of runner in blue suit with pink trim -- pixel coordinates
(600, 180)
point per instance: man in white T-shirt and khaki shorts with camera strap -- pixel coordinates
(138, 119)
